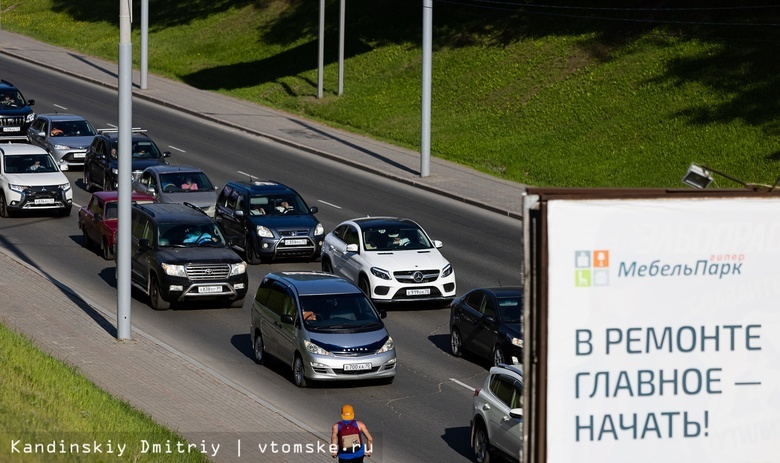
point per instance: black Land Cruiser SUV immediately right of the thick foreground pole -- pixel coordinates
(179, 254)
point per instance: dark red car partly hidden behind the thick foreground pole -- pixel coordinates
(98, 220)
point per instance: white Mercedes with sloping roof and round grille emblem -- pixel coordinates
(391, 259)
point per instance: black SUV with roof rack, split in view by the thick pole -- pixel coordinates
(101, 164)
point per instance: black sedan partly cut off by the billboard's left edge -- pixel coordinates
(487, 323)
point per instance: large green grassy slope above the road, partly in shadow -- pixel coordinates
(546, 101)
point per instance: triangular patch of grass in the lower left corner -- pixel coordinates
(43, 401)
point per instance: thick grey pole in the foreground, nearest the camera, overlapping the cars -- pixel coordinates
(125, 168)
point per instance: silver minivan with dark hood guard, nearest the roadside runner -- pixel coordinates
(323, 326)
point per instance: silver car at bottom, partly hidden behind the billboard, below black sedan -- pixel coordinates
(497, 415)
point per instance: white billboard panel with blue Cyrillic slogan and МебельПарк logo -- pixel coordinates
(663, 330)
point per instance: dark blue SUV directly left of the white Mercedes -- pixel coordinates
(269, 220)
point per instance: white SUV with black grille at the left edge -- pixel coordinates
(30, 180)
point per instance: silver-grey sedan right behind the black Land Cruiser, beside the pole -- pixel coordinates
(178, 184)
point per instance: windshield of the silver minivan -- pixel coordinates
(338, 311)
